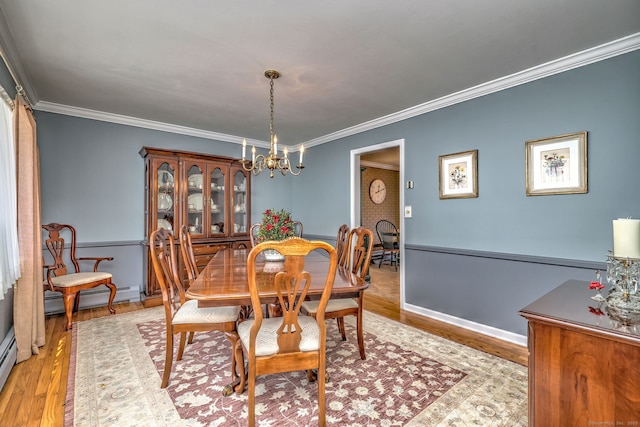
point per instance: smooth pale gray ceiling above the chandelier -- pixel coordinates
(200, 64)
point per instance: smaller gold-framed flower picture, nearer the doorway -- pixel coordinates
(458, 175)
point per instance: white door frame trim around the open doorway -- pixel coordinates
(356, 191)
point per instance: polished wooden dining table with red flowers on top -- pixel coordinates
(224, 282)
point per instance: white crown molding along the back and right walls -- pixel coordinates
(580, 59)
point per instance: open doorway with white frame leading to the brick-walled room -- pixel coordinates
(380, 164)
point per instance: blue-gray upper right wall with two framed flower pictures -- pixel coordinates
(602, 99)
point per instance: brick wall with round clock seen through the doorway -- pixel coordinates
(390, 208)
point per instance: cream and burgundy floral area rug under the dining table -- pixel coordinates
(410, 378)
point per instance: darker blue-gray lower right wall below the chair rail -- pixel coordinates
(484, 287)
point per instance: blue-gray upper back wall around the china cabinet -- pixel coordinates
(92, 175)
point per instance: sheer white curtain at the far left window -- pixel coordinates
(9, 253)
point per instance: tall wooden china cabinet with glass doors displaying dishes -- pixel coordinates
(209, 194)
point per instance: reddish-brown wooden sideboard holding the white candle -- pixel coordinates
(584, 364)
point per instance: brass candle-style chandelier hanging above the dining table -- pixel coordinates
(272, 162)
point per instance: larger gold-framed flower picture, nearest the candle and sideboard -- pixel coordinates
(557, 165)
